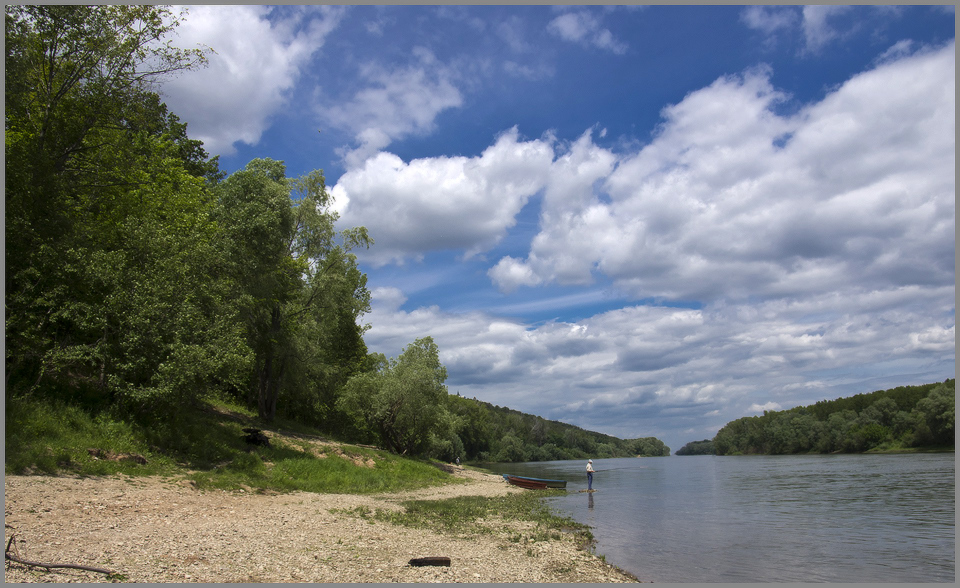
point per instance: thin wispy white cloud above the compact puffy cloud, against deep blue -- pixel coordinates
(394, 104)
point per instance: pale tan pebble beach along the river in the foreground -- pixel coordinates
(161, 530)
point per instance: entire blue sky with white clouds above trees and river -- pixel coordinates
(643, 221)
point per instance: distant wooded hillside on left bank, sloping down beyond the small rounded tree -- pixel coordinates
(493, 433)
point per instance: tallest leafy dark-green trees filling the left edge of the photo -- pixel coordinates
(112, 279)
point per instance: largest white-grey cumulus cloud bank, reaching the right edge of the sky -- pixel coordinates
(732, 200)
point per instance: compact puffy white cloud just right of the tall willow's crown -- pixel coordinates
(465, 203)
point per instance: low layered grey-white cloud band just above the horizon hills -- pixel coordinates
(660, 371)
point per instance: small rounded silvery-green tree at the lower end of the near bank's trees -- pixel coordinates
(403, 401)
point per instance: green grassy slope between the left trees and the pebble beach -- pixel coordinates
(49, 437)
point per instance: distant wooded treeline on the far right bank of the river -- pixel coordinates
(899, 418)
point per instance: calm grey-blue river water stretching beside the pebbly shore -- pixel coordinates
(810, 518)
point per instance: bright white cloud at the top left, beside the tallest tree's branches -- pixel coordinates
(259, 53)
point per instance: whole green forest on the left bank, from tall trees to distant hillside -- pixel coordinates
(142, 280)
